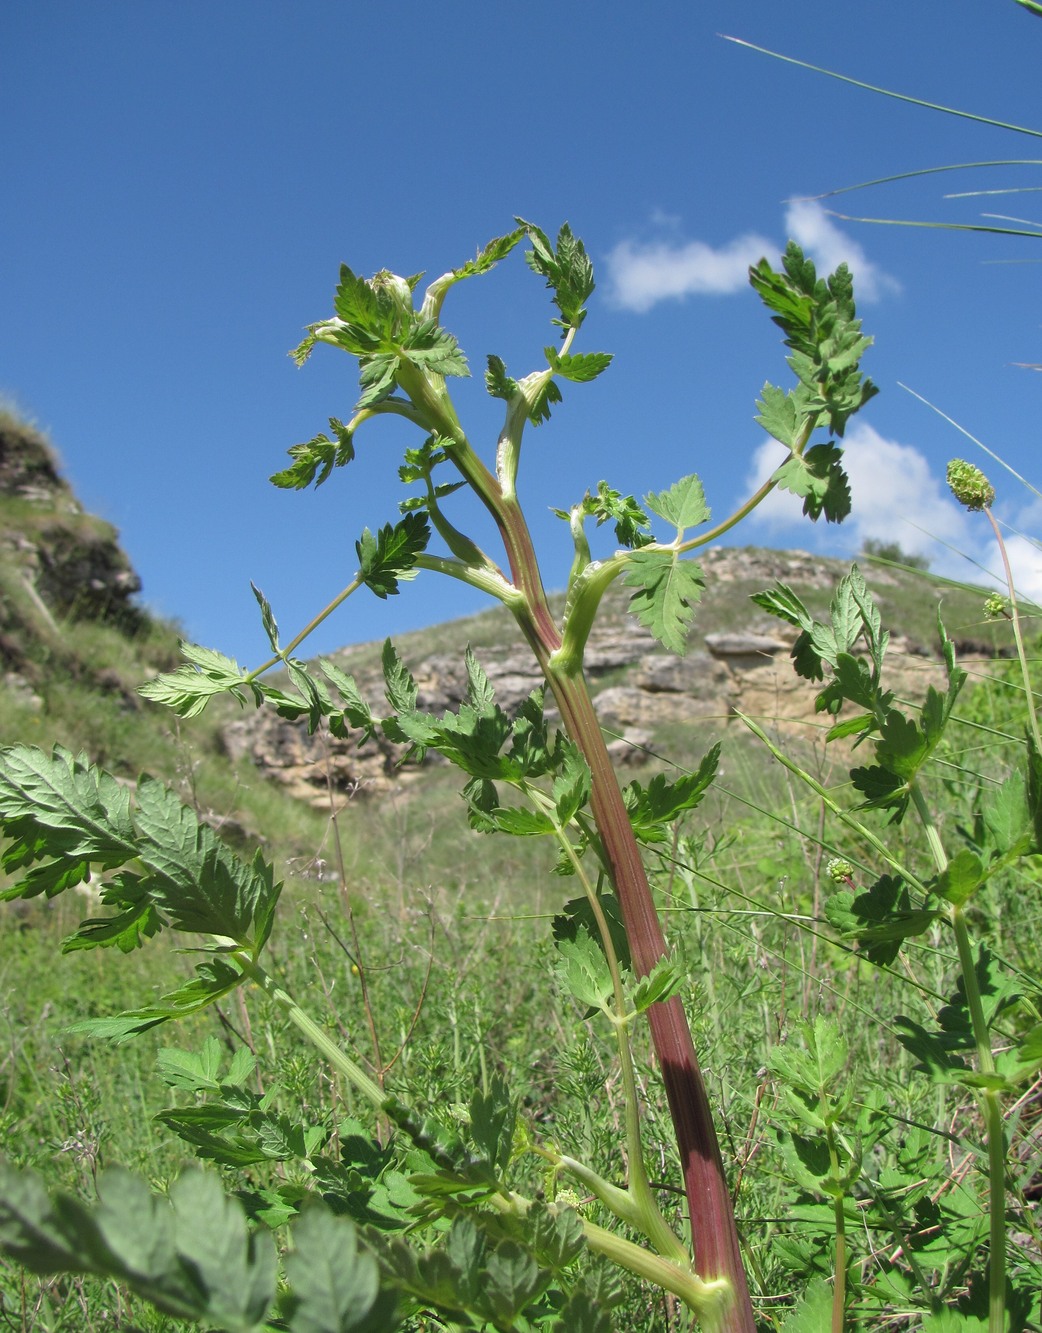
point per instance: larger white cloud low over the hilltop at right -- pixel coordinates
(896, 498)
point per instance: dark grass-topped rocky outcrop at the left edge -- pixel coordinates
(58, 561)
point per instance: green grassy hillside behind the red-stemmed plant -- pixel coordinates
(426, 948)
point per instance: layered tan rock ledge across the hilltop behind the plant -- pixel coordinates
(643, 695)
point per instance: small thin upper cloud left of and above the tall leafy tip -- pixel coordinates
(643, 274)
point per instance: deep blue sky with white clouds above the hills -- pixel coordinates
(185, 181)
